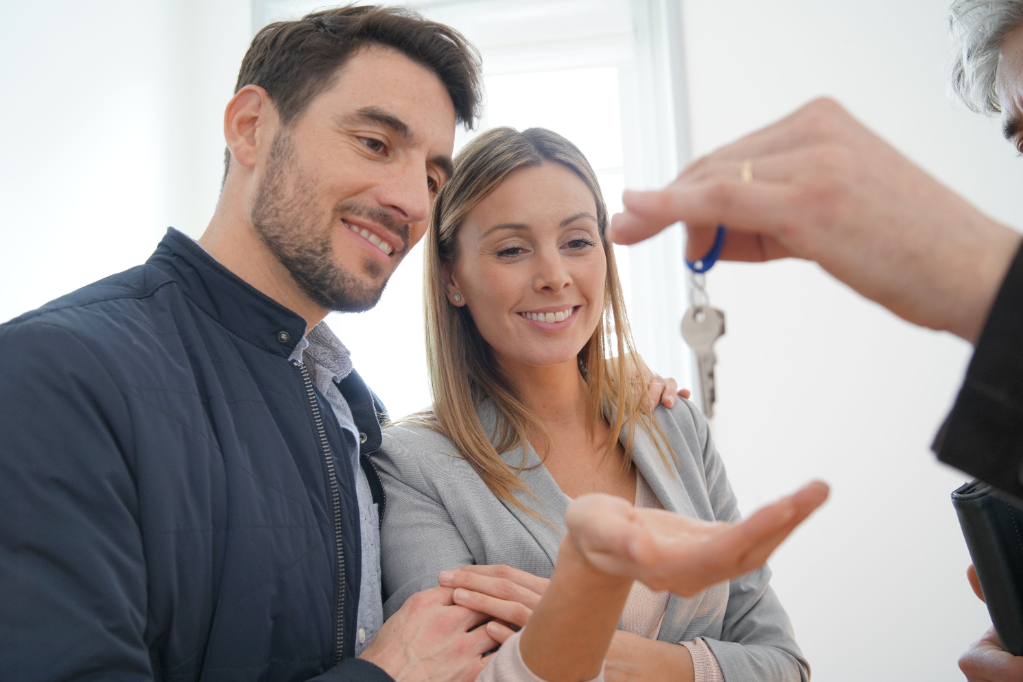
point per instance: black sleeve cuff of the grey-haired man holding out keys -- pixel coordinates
(984, 435)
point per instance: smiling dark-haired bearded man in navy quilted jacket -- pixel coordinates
(186, 490)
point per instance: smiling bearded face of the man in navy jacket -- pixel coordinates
(346, 191)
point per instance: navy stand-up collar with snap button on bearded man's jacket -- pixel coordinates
(224, 296)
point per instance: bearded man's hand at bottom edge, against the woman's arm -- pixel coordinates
(431, 639)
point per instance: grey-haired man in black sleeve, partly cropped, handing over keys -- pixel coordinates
(821, 187)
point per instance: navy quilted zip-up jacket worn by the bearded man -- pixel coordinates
(171, 502)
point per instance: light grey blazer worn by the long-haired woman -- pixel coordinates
(439, 515)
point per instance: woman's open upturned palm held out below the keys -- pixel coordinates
(685, 556)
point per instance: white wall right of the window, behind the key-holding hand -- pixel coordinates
(816, 382)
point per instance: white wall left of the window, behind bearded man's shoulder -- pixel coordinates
(111, 132)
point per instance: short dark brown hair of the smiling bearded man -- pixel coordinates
(295, 62)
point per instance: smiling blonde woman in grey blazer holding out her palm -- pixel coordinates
(533, 373)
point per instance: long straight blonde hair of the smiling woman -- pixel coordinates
(463, 369)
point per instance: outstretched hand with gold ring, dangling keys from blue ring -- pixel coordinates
(822, 187)
